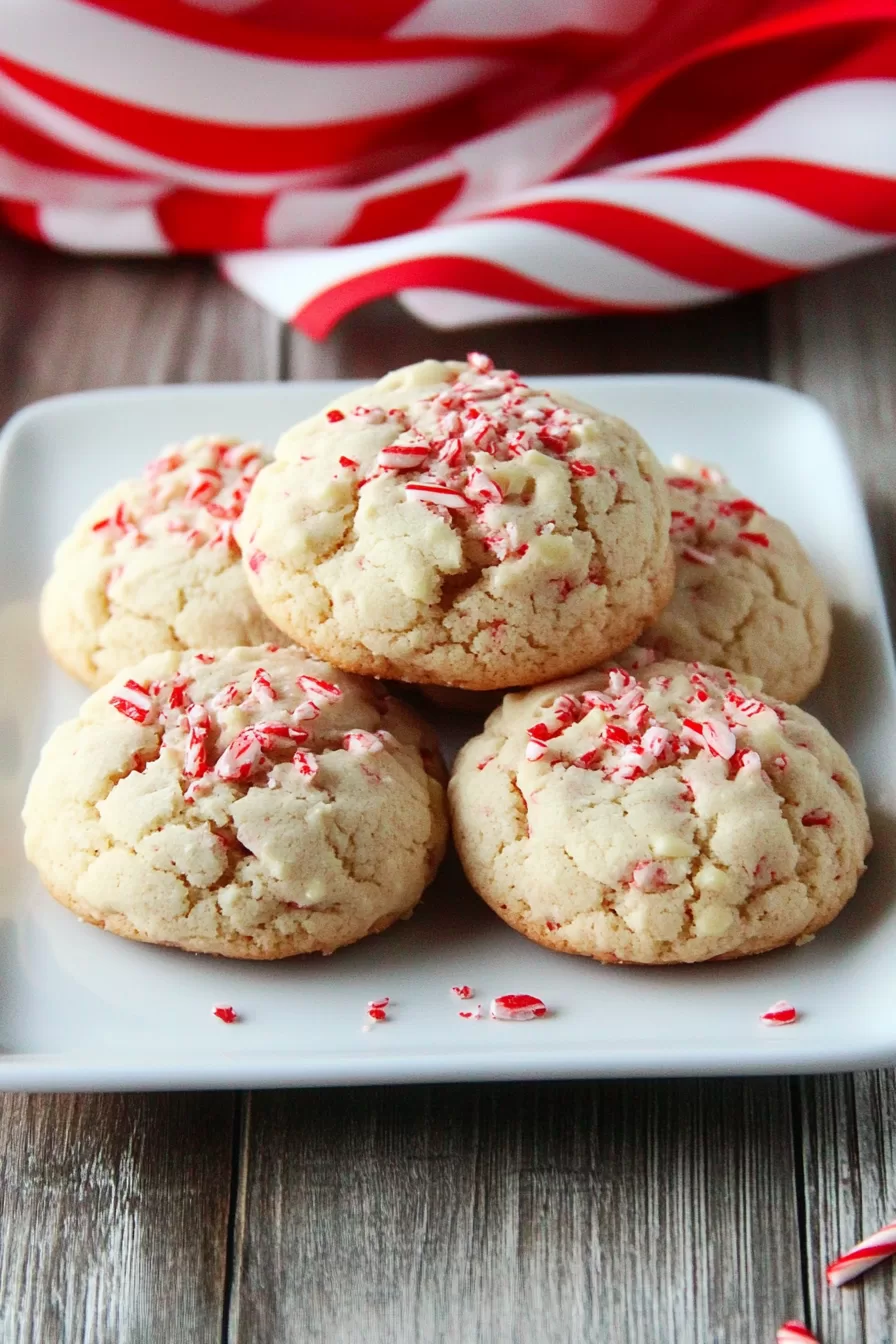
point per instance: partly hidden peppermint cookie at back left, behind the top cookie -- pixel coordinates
(154, 565)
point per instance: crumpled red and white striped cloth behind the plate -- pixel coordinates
(484, 159)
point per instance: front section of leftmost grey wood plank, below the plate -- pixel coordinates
(114, 1214)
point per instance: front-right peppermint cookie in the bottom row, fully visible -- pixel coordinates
(667, 815)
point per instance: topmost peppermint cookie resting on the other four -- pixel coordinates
(453, 526)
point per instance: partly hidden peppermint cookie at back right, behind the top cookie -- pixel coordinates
(746, 595)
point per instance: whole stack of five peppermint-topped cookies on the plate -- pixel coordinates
(456, 530)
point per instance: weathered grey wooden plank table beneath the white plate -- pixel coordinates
(663, 1213)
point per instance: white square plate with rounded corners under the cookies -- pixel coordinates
(83, 1010)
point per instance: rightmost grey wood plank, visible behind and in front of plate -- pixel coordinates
(835, 337)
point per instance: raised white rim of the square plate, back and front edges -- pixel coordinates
(108, 1072)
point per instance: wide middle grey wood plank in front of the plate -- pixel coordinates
(519, 1214)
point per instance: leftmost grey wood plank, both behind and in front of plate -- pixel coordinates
(115, 1210)
